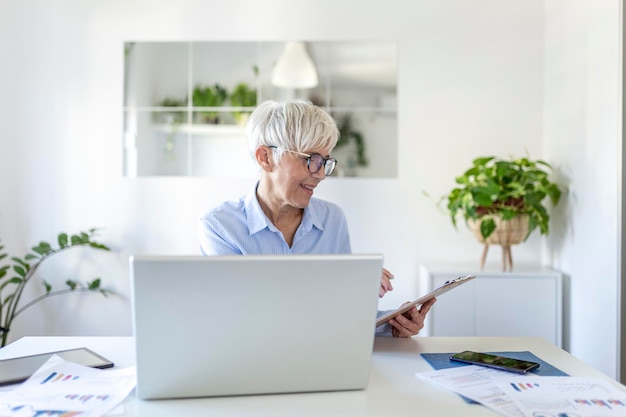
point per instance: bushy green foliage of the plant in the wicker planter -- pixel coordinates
(507, 188)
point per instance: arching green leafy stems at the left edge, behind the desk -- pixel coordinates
(24, 269)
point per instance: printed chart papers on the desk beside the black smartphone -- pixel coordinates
(531, 396)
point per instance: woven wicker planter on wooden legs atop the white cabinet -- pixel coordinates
(507, 233)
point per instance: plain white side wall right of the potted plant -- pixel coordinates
(582, 137)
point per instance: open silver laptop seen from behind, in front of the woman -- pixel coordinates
(238, 325)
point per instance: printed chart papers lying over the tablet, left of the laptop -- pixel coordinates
(62, 388)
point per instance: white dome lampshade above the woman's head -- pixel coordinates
(294, 68)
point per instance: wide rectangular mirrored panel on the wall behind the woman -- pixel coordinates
(186, 104)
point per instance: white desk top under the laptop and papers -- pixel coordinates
(393, 389)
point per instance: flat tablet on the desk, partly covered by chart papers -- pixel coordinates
(16, 370)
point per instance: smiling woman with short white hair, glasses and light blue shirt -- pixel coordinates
(291, 143)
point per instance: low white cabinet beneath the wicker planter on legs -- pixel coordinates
(524, 303)
